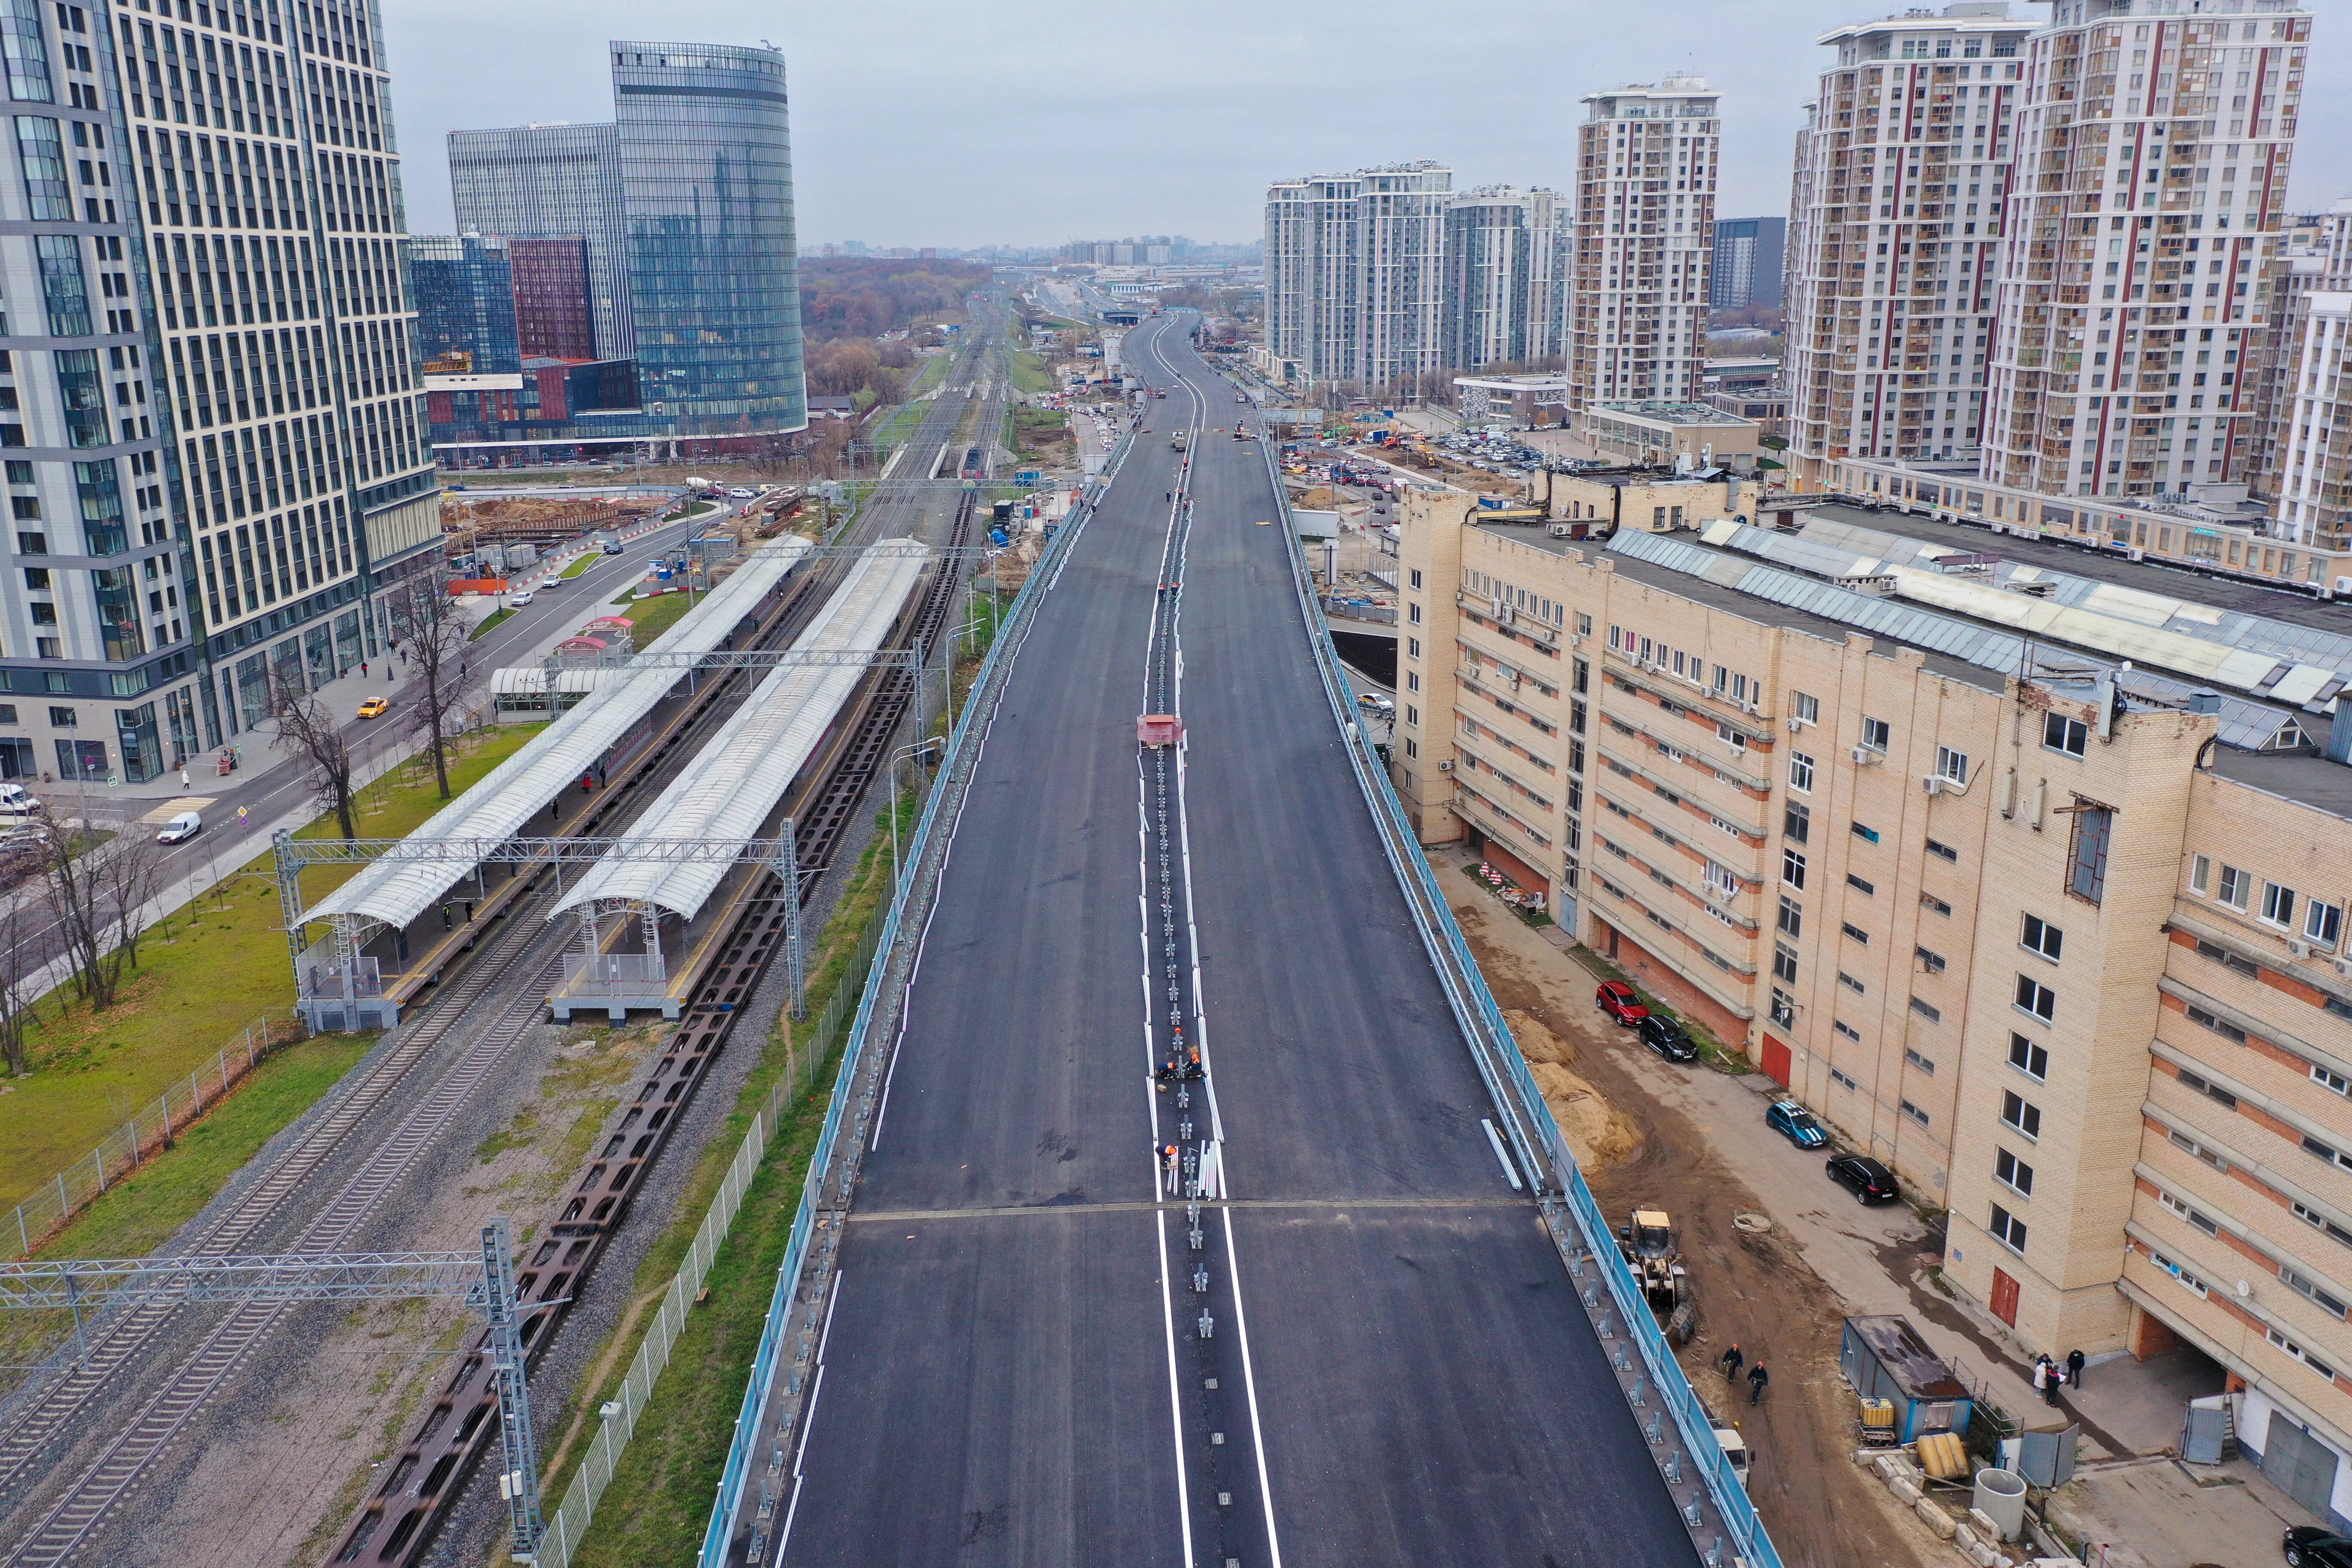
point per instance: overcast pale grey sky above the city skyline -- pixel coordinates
(1043, 121)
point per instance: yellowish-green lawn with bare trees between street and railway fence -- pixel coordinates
(206, 974)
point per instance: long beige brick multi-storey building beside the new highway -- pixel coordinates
(2026, 873)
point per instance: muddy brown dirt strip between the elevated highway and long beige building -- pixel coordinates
(1641, 1151)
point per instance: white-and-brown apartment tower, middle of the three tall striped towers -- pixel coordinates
(1895, 227)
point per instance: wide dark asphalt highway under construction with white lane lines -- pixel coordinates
(1358, 1346)
